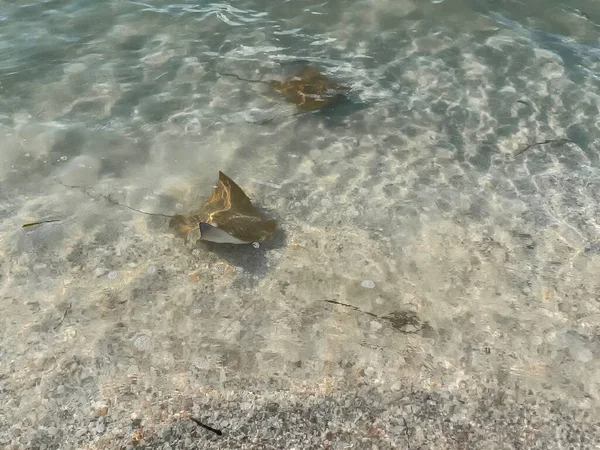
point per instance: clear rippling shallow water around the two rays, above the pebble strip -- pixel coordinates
(413, 198)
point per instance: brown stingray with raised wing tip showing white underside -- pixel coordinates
(227, 217)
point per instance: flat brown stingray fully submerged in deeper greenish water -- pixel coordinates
(310, 90)
